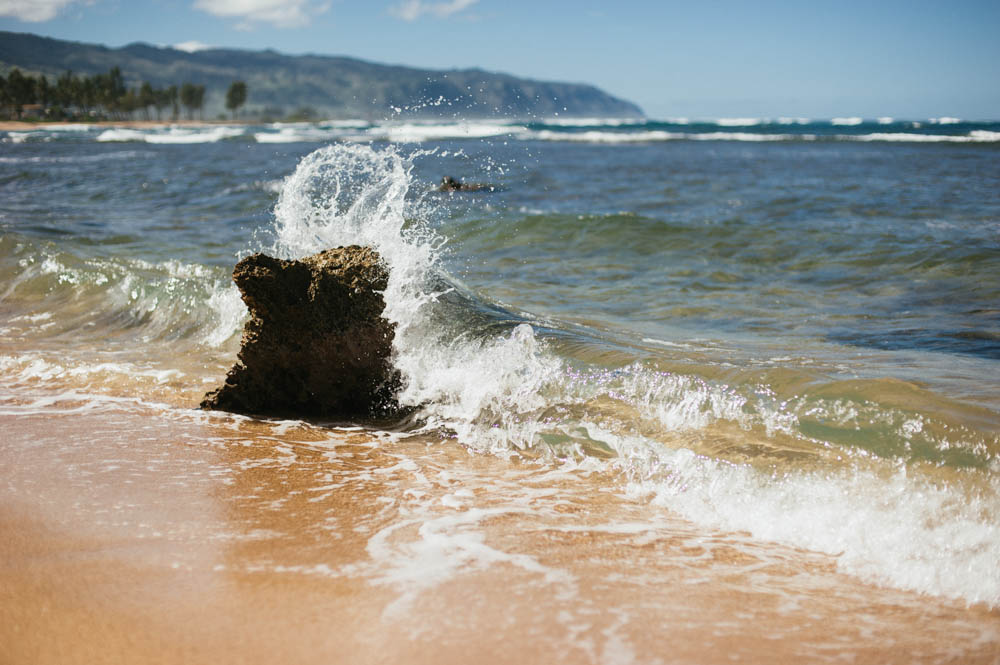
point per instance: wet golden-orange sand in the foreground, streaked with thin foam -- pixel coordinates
(131, 534)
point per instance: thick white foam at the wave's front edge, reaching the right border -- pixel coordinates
(901, 531)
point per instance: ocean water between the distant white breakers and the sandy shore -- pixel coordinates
(798, 343)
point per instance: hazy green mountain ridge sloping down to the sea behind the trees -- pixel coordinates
(328, 86)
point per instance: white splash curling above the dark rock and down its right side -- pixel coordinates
(353, 194)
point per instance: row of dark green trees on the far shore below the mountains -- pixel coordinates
(102, 97)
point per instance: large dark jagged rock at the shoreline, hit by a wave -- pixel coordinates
(316, 344)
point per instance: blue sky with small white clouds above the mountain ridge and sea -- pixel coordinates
(815, 59)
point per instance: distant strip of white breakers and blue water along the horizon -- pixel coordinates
(583, 130)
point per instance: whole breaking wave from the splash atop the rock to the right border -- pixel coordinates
(733, 457)
